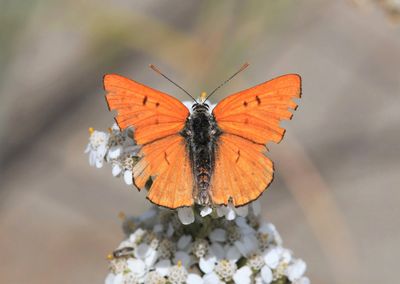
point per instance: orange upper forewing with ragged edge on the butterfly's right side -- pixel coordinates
(255, 113)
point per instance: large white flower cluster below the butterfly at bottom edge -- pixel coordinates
(212, 249)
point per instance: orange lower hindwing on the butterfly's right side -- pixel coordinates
(241, 173)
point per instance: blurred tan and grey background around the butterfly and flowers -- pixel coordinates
(335, 198)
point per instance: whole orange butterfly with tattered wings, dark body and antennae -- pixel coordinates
(203, 157)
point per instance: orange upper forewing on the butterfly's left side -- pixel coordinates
(153, 114)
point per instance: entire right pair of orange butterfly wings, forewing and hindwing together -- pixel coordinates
(250, 119)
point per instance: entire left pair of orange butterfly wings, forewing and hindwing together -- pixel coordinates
(157, 119)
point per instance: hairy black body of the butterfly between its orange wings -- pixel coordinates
(201, 133)
